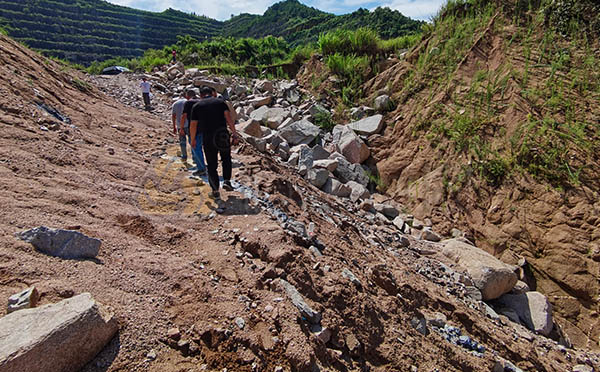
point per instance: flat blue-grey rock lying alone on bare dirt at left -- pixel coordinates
(67, 244)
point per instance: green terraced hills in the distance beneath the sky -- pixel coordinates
(86, 30)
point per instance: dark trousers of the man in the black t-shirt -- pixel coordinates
(217, 143)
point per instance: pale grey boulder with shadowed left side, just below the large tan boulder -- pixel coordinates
(533, 309)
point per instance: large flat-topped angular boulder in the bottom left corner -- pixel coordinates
(61, 337)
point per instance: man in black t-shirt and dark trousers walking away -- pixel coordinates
(210, 117)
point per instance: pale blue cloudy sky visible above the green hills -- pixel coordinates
(223, 9)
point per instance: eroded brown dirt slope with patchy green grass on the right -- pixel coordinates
(490, 149)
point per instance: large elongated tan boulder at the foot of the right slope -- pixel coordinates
(492, 276)
